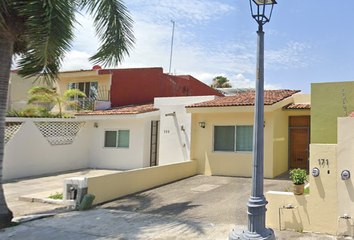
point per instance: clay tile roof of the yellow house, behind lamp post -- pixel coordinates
(247, 99)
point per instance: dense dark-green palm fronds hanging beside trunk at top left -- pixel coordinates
(49, 36)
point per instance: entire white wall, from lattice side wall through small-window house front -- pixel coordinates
(28, 153)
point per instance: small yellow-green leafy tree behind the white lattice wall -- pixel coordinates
(47, 95)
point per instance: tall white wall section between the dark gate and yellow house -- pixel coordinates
(175, 143)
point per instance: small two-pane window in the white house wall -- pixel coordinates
(116, 139)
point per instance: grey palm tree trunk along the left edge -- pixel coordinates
(6, 50)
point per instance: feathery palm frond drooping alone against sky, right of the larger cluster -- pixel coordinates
(114, 27)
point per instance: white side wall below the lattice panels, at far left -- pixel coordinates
(28, 153)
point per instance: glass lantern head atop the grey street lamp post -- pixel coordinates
(264, 10)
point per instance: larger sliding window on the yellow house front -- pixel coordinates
(233, 138)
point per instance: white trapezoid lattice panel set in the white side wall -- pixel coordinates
(59, 133)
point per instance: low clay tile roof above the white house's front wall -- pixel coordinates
(125, 110)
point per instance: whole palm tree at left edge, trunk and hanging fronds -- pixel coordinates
(41, 32)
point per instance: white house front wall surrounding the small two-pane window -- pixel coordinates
(138, 153)
